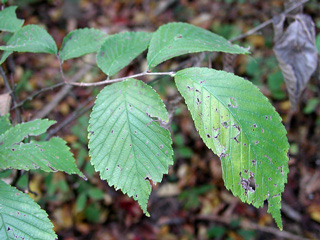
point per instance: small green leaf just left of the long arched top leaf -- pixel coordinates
(120, 49)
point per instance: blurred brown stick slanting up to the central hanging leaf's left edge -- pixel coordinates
(81, 109)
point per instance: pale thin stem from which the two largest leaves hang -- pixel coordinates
(107, 81)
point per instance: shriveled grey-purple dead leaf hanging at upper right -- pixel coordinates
(296, 52)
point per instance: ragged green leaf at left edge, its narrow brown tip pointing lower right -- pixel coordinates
(49, 156)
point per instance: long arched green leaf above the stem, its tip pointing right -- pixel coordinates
(175, 39)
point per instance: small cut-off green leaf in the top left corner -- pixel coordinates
(9, 21)
